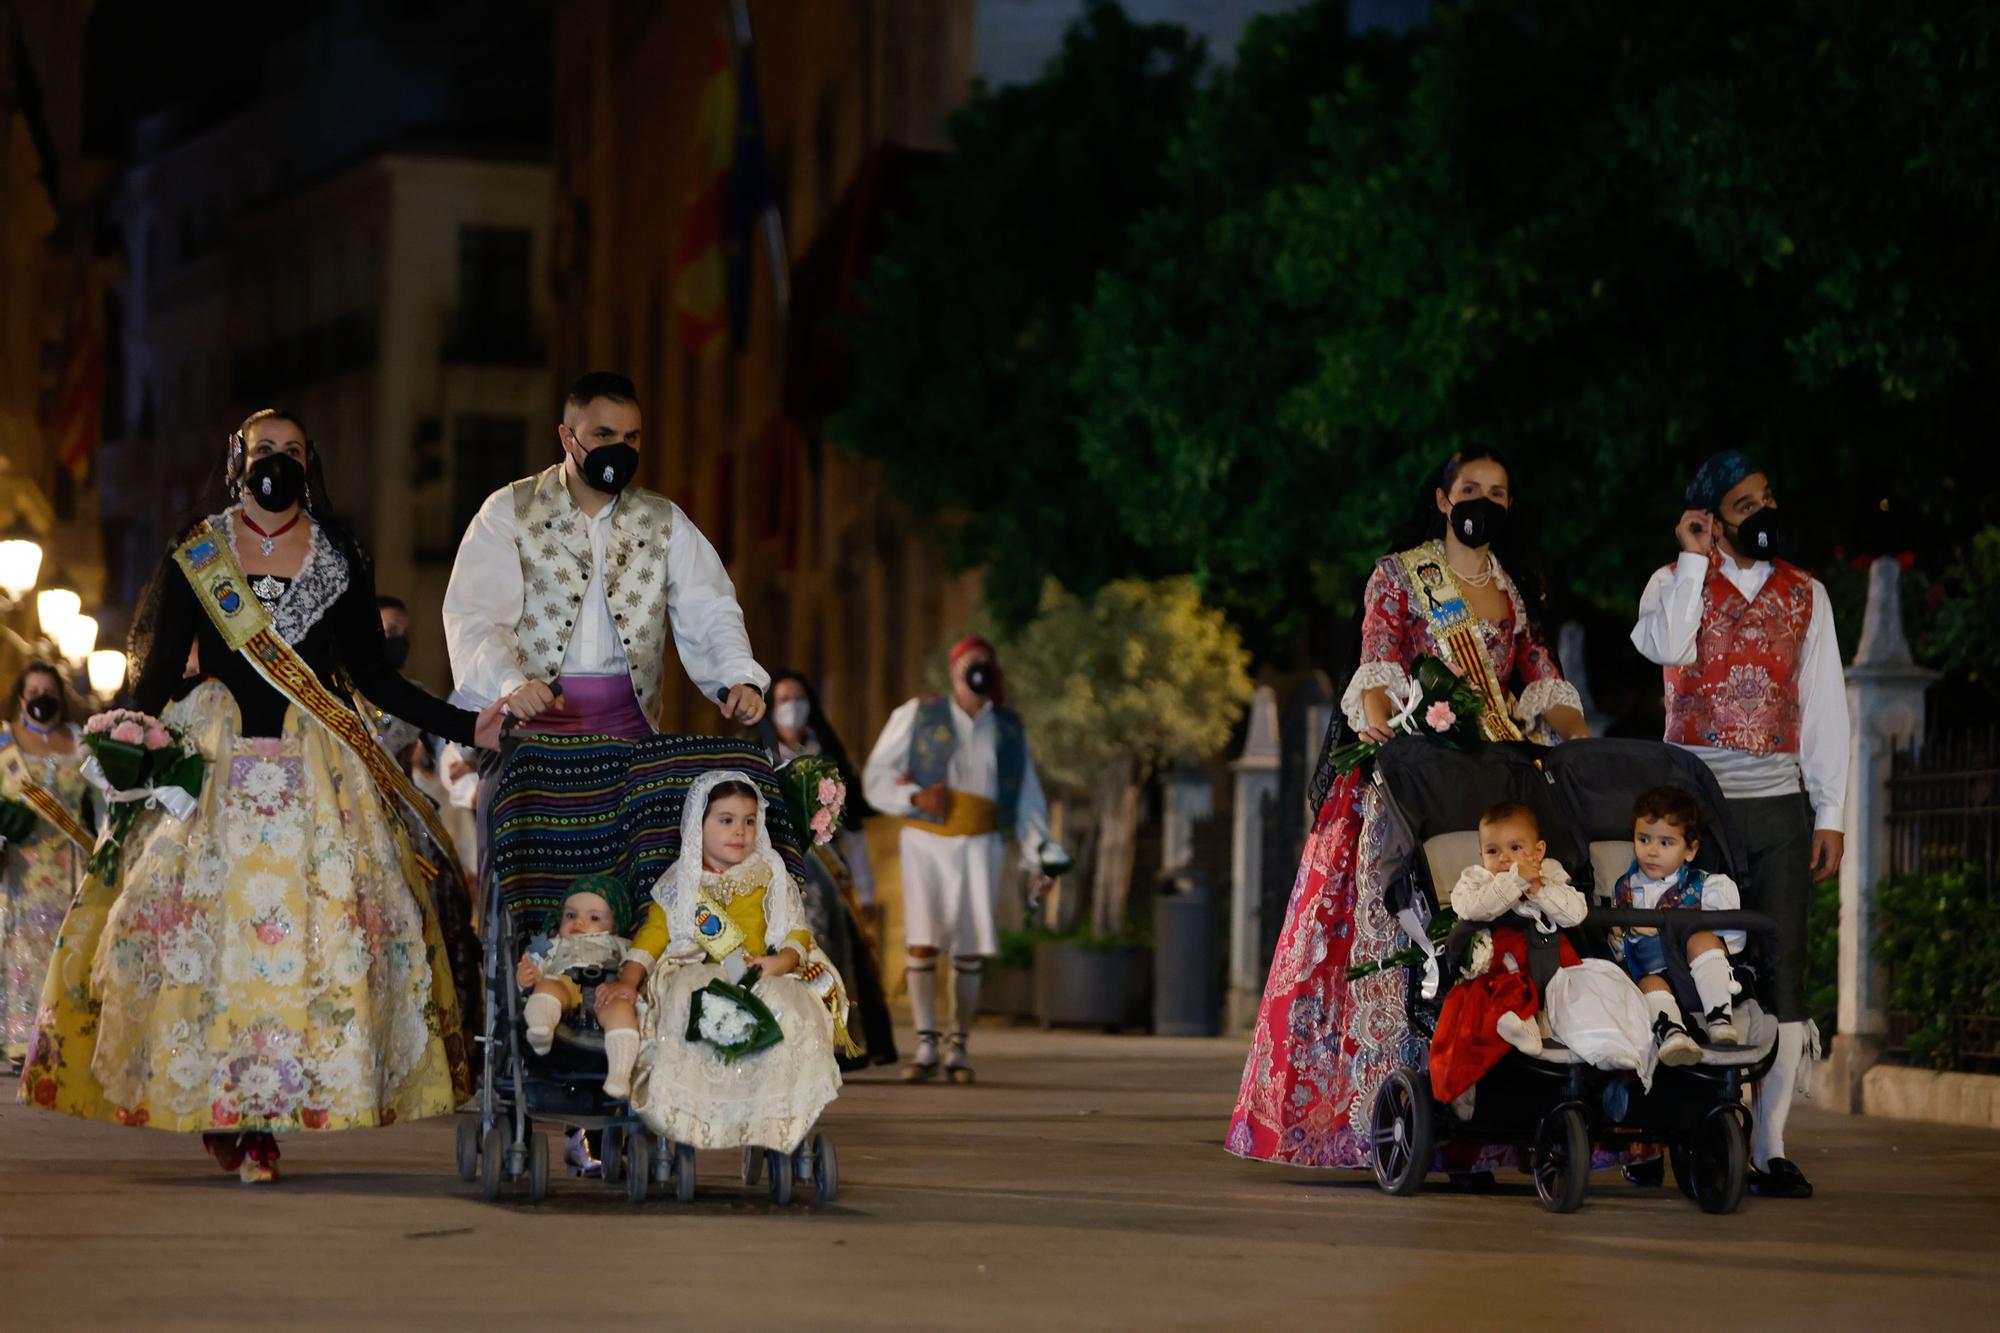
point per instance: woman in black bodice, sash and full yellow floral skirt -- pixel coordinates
(273, 964)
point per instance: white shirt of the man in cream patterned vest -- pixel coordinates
(483, 609)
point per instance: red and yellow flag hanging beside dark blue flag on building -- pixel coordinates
(715, 261)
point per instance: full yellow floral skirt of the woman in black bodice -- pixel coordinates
(271, 966)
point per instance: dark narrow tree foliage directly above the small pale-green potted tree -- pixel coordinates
(965, 355)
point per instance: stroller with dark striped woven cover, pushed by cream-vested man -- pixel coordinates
(567, 808)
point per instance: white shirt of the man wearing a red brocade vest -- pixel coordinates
(1667, 631)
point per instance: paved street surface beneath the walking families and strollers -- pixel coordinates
(1081, 1184)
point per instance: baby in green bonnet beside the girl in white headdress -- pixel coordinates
(591, 946)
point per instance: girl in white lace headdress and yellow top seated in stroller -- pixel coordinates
(731, 914)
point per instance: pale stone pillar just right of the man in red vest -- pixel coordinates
(1885, 714)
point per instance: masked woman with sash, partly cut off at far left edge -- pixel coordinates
(39, 750)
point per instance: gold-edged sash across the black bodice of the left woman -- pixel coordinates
(225, 591)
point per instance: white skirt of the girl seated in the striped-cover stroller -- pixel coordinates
(769, 1100)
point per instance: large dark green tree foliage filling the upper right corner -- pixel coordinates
(1605, 239)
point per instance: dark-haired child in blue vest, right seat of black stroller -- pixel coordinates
(1667, 834)
